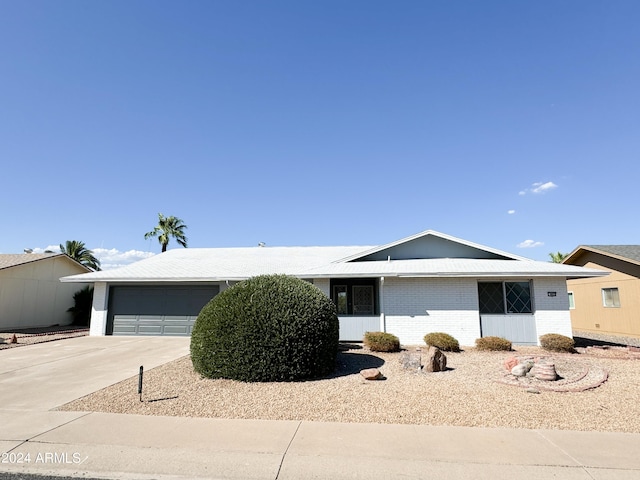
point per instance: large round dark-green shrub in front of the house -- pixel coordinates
(268, 328)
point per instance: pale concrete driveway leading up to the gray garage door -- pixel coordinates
(46, 375)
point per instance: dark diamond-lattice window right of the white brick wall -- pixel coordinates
(504, 297)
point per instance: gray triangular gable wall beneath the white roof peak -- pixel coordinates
(430, 246)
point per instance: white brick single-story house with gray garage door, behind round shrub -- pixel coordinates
(424, 283)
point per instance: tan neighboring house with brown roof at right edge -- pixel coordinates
(606, 305)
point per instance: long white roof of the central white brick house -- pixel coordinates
(220, 264)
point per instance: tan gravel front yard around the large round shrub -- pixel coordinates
(472, 392)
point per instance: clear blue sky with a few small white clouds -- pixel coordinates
(511, 124)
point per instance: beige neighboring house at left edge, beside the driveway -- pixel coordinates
(31, 294)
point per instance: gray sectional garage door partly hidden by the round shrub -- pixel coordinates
(156, 310)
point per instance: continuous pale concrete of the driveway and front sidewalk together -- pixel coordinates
(35, 379)
